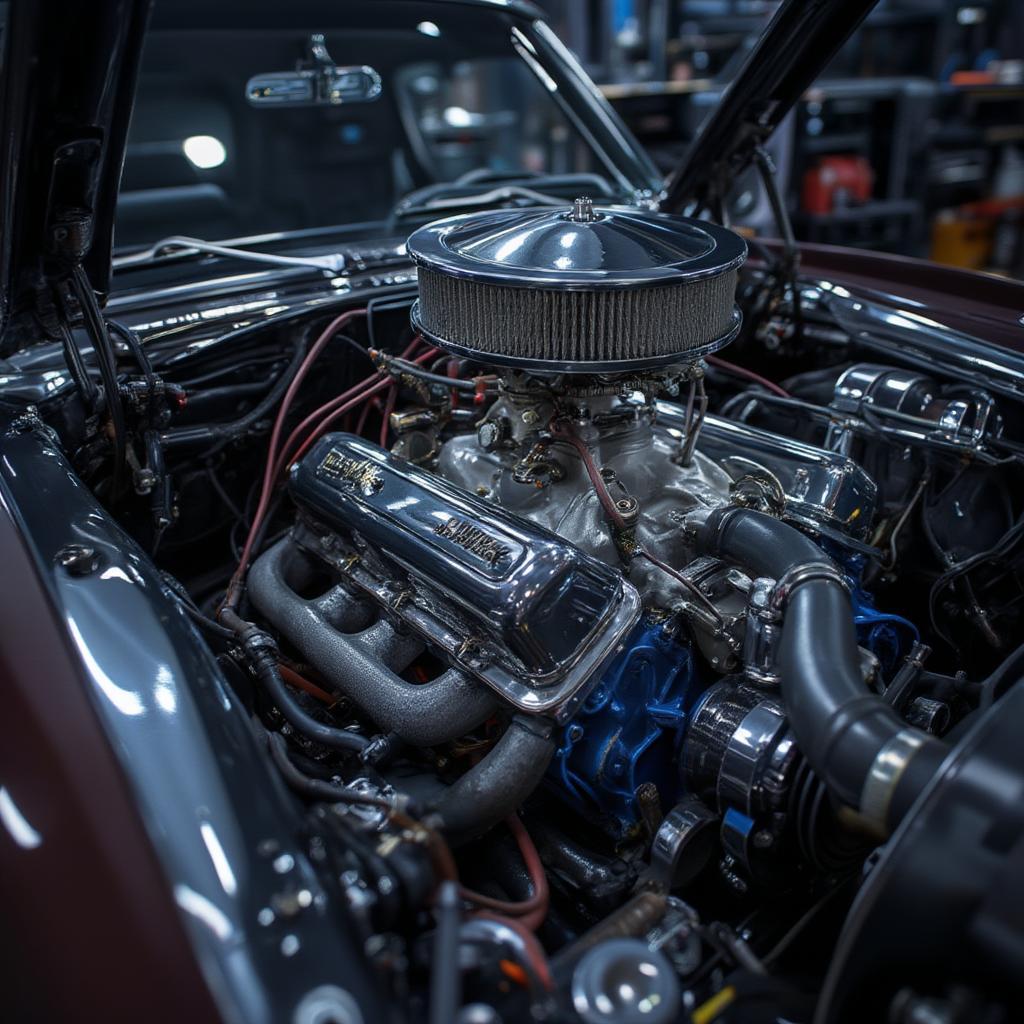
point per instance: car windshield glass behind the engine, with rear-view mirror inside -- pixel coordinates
(462, 93)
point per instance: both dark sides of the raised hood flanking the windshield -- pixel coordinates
(69, 79)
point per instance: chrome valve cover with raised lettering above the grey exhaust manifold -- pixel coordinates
(514, 605)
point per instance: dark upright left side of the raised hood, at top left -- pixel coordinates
(69, 81)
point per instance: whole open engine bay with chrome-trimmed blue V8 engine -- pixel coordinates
(605, 603)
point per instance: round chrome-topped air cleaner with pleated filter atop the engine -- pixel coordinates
(581, 290)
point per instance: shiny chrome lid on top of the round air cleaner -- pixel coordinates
(581, 249)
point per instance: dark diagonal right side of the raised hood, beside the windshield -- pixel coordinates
(792, 53)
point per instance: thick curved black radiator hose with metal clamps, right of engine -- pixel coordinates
(840, 727)
